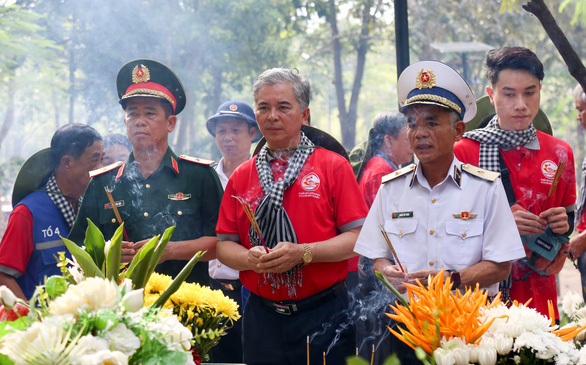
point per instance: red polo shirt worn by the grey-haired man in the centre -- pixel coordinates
(323, 202)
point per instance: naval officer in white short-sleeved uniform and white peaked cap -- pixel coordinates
(440, 213)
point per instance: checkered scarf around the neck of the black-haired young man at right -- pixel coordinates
(492, 137)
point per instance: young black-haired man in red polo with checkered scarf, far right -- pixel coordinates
(531, 157)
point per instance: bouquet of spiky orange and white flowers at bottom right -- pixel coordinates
(461, 328)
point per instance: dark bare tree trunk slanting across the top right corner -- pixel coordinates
(557, 36)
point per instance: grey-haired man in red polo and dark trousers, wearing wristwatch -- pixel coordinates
(309, 212)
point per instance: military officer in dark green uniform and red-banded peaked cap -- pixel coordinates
(155, 188)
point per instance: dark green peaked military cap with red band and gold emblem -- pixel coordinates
(149, 78)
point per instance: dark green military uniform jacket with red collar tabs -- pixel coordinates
(181, 192)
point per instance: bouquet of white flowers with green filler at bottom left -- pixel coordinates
(94, 322)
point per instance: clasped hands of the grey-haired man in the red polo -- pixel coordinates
(283, 257)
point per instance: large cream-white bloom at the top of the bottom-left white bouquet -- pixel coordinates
(92, 293)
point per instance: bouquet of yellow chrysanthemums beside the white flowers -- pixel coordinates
(207, 313)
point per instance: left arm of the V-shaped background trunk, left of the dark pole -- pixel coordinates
(338, 82)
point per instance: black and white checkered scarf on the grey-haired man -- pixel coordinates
(273, 221)
